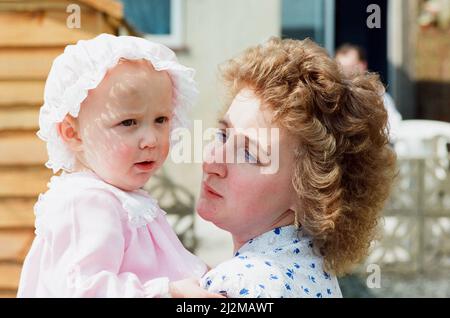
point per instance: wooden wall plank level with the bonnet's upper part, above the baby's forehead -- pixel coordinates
(27, 63)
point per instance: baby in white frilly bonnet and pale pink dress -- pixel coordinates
(110, 105)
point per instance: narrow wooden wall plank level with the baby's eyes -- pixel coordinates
(19, 118)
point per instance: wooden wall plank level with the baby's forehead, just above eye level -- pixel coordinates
(19, 93)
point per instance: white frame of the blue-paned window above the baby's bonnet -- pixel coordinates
(176, 38)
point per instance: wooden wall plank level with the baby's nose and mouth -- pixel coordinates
(22, 149)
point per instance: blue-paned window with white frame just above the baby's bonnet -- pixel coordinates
(159, 20)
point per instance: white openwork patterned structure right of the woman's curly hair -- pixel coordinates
(420, 143)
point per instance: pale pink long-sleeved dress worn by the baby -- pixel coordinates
(95, 240)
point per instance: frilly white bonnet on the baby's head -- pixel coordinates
(82, 67)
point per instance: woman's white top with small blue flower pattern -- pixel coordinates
(279, 263)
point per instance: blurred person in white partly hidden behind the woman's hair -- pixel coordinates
(354, 61)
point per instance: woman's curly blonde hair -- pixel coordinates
(344, 165)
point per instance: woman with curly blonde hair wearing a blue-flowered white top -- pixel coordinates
(296, 229)
